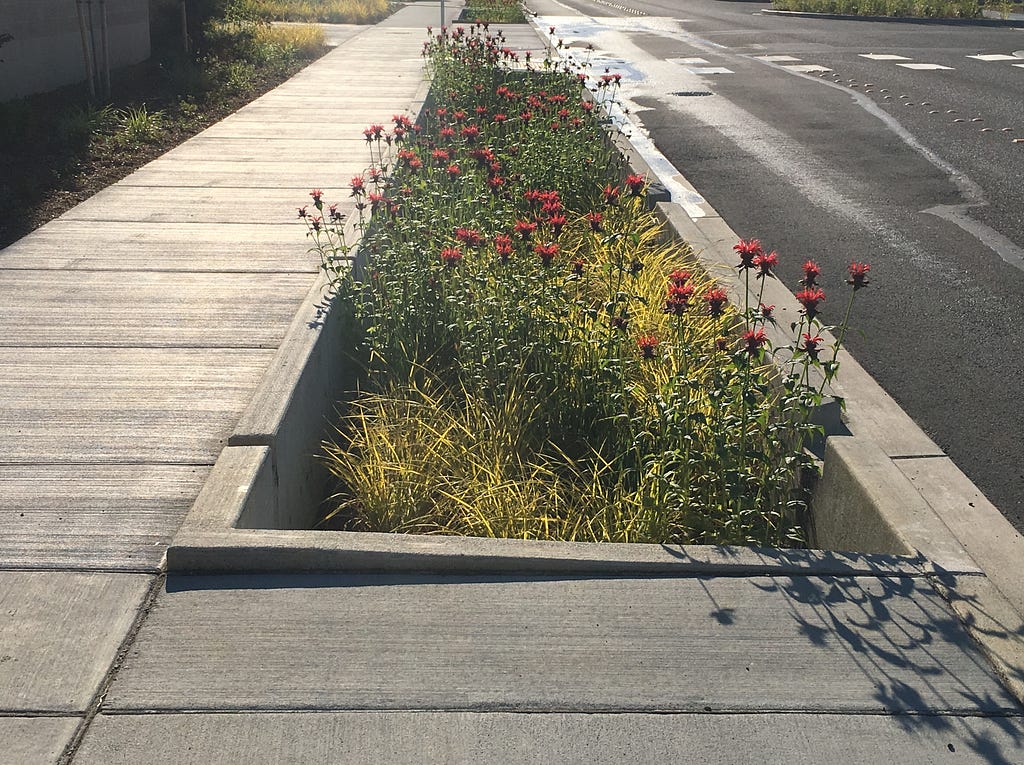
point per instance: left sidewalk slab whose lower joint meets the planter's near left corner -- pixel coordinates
(112, 518)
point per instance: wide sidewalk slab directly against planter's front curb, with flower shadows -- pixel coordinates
(492, 644)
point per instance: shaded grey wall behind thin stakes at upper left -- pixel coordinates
(47, 51)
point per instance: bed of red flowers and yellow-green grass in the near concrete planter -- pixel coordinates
(541, 361)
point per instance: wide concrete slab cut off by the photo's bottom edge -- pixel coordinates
(419, 739)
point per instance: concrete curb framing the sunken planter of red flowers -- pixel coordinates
(887, 489)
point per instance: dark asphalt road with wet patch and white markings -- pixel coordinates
(914, 169)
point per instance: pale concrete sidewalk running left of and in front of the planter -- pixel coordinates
(137, 328)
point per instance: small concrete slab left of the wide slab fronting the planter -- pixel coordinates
(60, 632)
